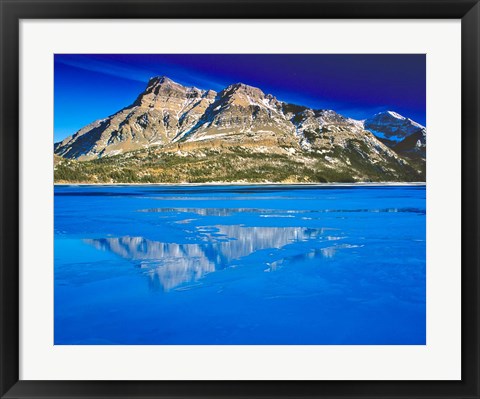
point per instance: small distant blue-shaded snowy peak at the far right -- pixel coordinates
(392, 127)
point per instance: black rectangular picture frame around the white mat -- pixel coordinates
(13, 11)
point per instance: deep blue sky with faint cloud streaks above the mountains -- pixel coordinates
(90, 87)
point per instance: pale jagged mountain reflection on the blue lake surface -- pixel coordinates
(170, 265)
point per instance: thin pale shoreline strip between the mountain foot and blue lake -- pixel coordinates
(357, 184)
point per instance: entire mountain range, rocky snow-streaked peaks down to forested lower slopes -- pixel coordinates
(173, 133)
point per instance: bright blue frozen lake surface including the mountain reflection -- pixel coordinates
(160, 265)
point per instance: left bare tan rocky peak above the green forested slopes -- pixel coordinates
(163, 112)
